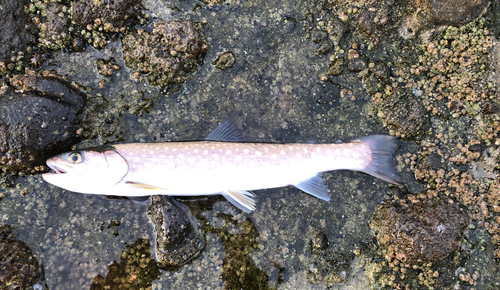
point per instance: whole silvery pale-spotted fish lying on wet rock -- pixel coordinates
(223, 163)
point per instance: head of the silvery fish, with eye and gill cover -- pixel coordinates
(87, 171)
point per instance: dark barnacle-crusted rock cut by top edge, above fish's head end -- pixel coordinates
(113, 13)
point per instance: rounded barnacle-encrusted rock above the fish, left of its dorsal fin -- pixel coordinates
(167, 53)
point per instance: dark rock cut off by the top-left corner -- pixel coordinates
(13, 34)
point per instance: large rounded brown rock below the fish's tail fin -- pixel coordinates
(419, 232)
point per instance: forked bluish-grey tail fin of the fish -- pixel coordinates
(382, 148)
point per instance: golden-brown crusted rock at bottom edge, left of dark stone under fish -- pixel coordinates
(136, 270)
